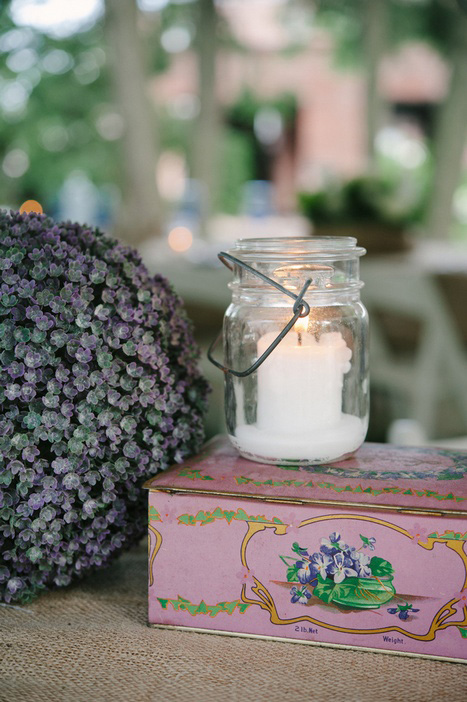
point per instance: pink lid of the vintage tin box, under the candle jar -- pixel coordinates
(381, 476)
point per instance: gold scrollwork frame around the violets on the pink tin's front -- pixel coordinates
(266, 601)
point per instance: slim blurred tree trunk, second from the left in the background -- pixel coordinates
(207, 129)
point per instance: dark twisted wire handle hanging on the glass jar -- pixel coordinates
(301, 308)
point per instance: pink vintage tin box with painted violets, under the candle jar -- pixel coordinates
(369, 552)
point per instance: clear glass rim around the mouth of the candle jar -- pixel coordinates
(335, 247)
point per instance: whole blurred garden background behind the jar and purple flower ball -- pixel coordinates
(181, 125)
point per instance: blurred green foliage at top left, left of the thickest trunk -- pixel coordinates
(53, 93)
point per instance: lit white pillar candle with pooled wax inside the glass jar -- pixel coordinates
(299, 403)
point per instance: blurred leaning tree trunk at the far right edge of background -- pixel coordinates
(450, 136)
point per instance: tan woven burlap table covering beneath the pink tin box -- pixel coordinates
(90, 643)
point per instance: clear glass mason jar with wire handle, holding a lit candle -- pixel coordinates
(307, 403)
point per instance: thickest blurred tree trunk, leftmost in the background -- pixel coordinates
(138, 218)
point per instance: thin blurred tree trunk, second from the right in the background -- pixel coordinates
(376, 25)
